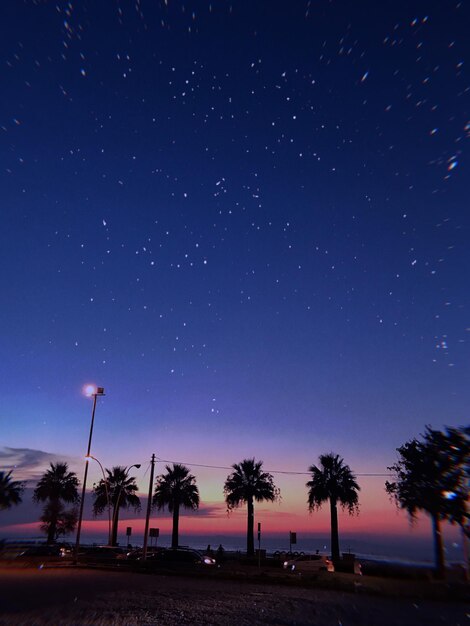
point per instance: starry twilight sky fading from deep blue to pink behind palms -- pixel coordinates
(248, 221)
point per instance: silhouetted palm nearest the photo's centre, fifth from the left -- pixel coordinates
(246, 484)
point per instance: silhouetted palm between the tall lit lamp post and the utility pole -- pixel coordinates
(121, 489)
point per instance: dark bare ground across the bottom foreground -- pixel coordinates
(82, 597)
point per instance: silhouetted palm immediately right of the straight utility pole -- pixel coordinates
(177, 488)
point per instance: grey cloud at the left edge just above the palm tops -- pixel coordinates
(28, 464)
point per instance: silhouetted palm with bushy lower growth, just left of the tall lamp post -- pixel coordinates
(56, 486)
